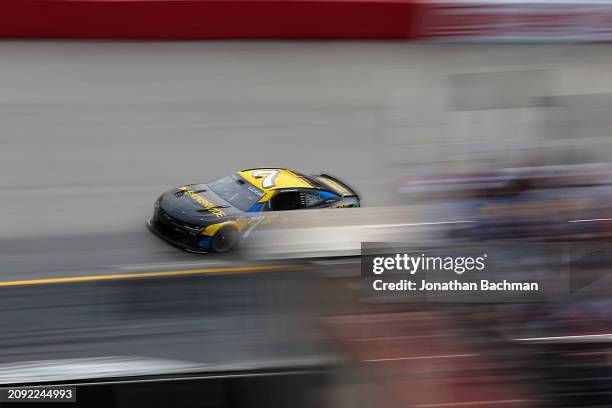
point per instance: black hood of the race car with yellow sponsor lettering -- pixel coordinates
(196, 204)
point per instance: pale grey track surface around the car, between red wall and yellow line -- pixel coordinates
(92, 132)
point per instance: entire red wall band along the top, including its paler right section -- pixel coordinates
(585, 20)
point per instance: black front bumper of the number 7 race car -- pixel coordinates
(174, 233)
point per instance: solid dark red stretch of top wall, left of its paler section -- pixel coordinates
(207, 19)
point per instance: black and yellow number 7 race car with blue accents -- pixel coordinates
(215, 216)
